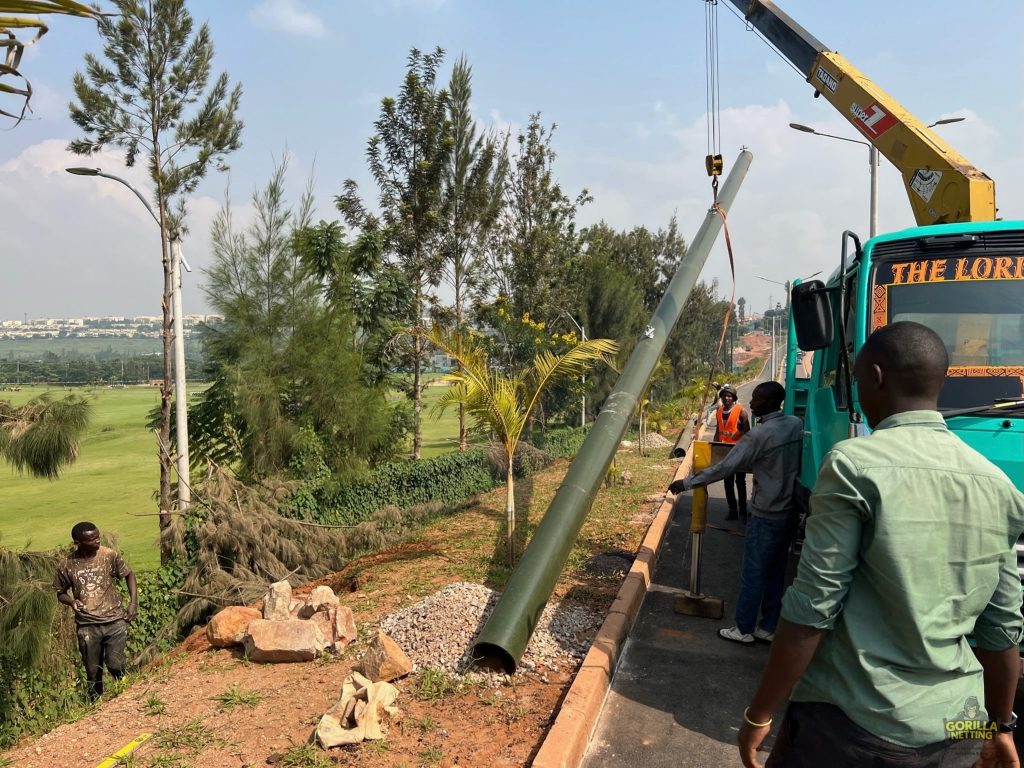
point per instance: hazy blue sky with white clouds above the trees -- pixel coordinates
(624, 82)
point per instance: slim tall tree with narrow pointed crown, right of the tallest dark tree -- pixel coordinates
(474, 187)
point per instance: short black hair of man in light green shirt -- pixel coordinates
(912, 354)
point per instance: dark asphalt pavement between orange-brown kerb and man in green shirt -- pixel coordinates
(678, 696)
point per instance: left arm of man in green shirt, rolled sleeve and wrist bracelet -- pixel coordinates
(816, 601)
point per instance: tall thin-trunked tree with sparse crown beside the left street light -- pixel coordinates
(153, 98)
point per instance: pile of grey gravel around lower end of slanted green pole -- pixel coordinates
(439, 631)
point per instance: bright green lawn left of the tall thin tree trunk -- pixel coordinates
(116, 475)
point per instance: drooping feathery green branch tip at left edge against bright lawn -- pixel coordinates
(42, 437)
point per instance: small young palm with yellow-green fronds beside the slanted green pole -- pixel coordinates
(503, 403)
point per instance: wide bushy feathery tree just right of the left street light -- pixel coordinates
(287, 358)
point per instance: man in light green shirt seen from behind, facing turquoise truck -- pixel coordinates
(911, 548)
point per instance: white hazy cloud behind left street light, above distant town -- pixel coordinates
(79, 245)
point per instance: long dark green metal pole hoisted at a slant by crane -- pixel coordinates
(504, 638)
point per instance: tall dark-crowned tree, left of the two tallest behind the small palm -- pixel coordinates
(409, 157)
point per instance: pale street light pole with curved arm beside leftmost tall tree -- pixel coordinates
(178, 331)
